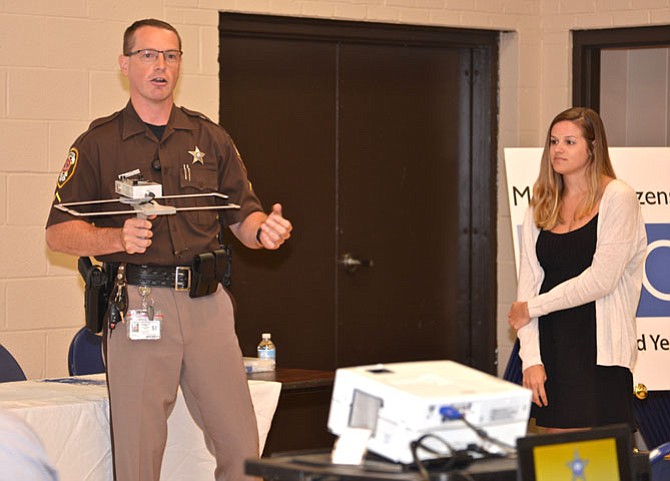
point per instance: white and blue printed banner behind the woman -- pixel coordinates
(647, 171)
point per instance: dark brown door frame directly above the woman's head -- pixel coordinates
(587, 47)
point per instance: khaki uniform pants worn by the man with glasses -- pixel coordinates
(198, 351)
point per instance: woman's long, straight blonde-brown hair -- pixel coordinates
(548, 189)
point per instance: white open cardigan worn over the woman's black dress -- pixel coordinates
(613, 280)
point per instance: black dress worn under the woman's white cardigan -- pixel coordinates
(580, 394)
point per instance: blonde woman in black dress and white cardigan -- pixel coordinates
(582, 250)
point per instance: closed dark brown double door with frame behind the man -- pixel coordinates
(368, 141)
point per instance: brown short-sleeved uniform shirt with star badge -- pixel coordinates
(121, 143)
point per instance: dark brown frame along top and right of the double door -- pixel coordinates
(479, 231)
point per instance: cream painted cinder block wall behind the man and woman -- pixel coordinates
(58, 71)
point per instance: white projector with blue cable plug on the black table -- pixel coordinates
(400, 402)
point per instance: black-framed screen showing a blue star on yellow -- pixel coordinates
(603, 453)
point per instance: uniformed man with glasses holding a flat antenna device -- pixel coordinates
(181, 335)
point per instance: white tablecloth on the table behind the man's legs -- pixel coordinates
(71, 417)
